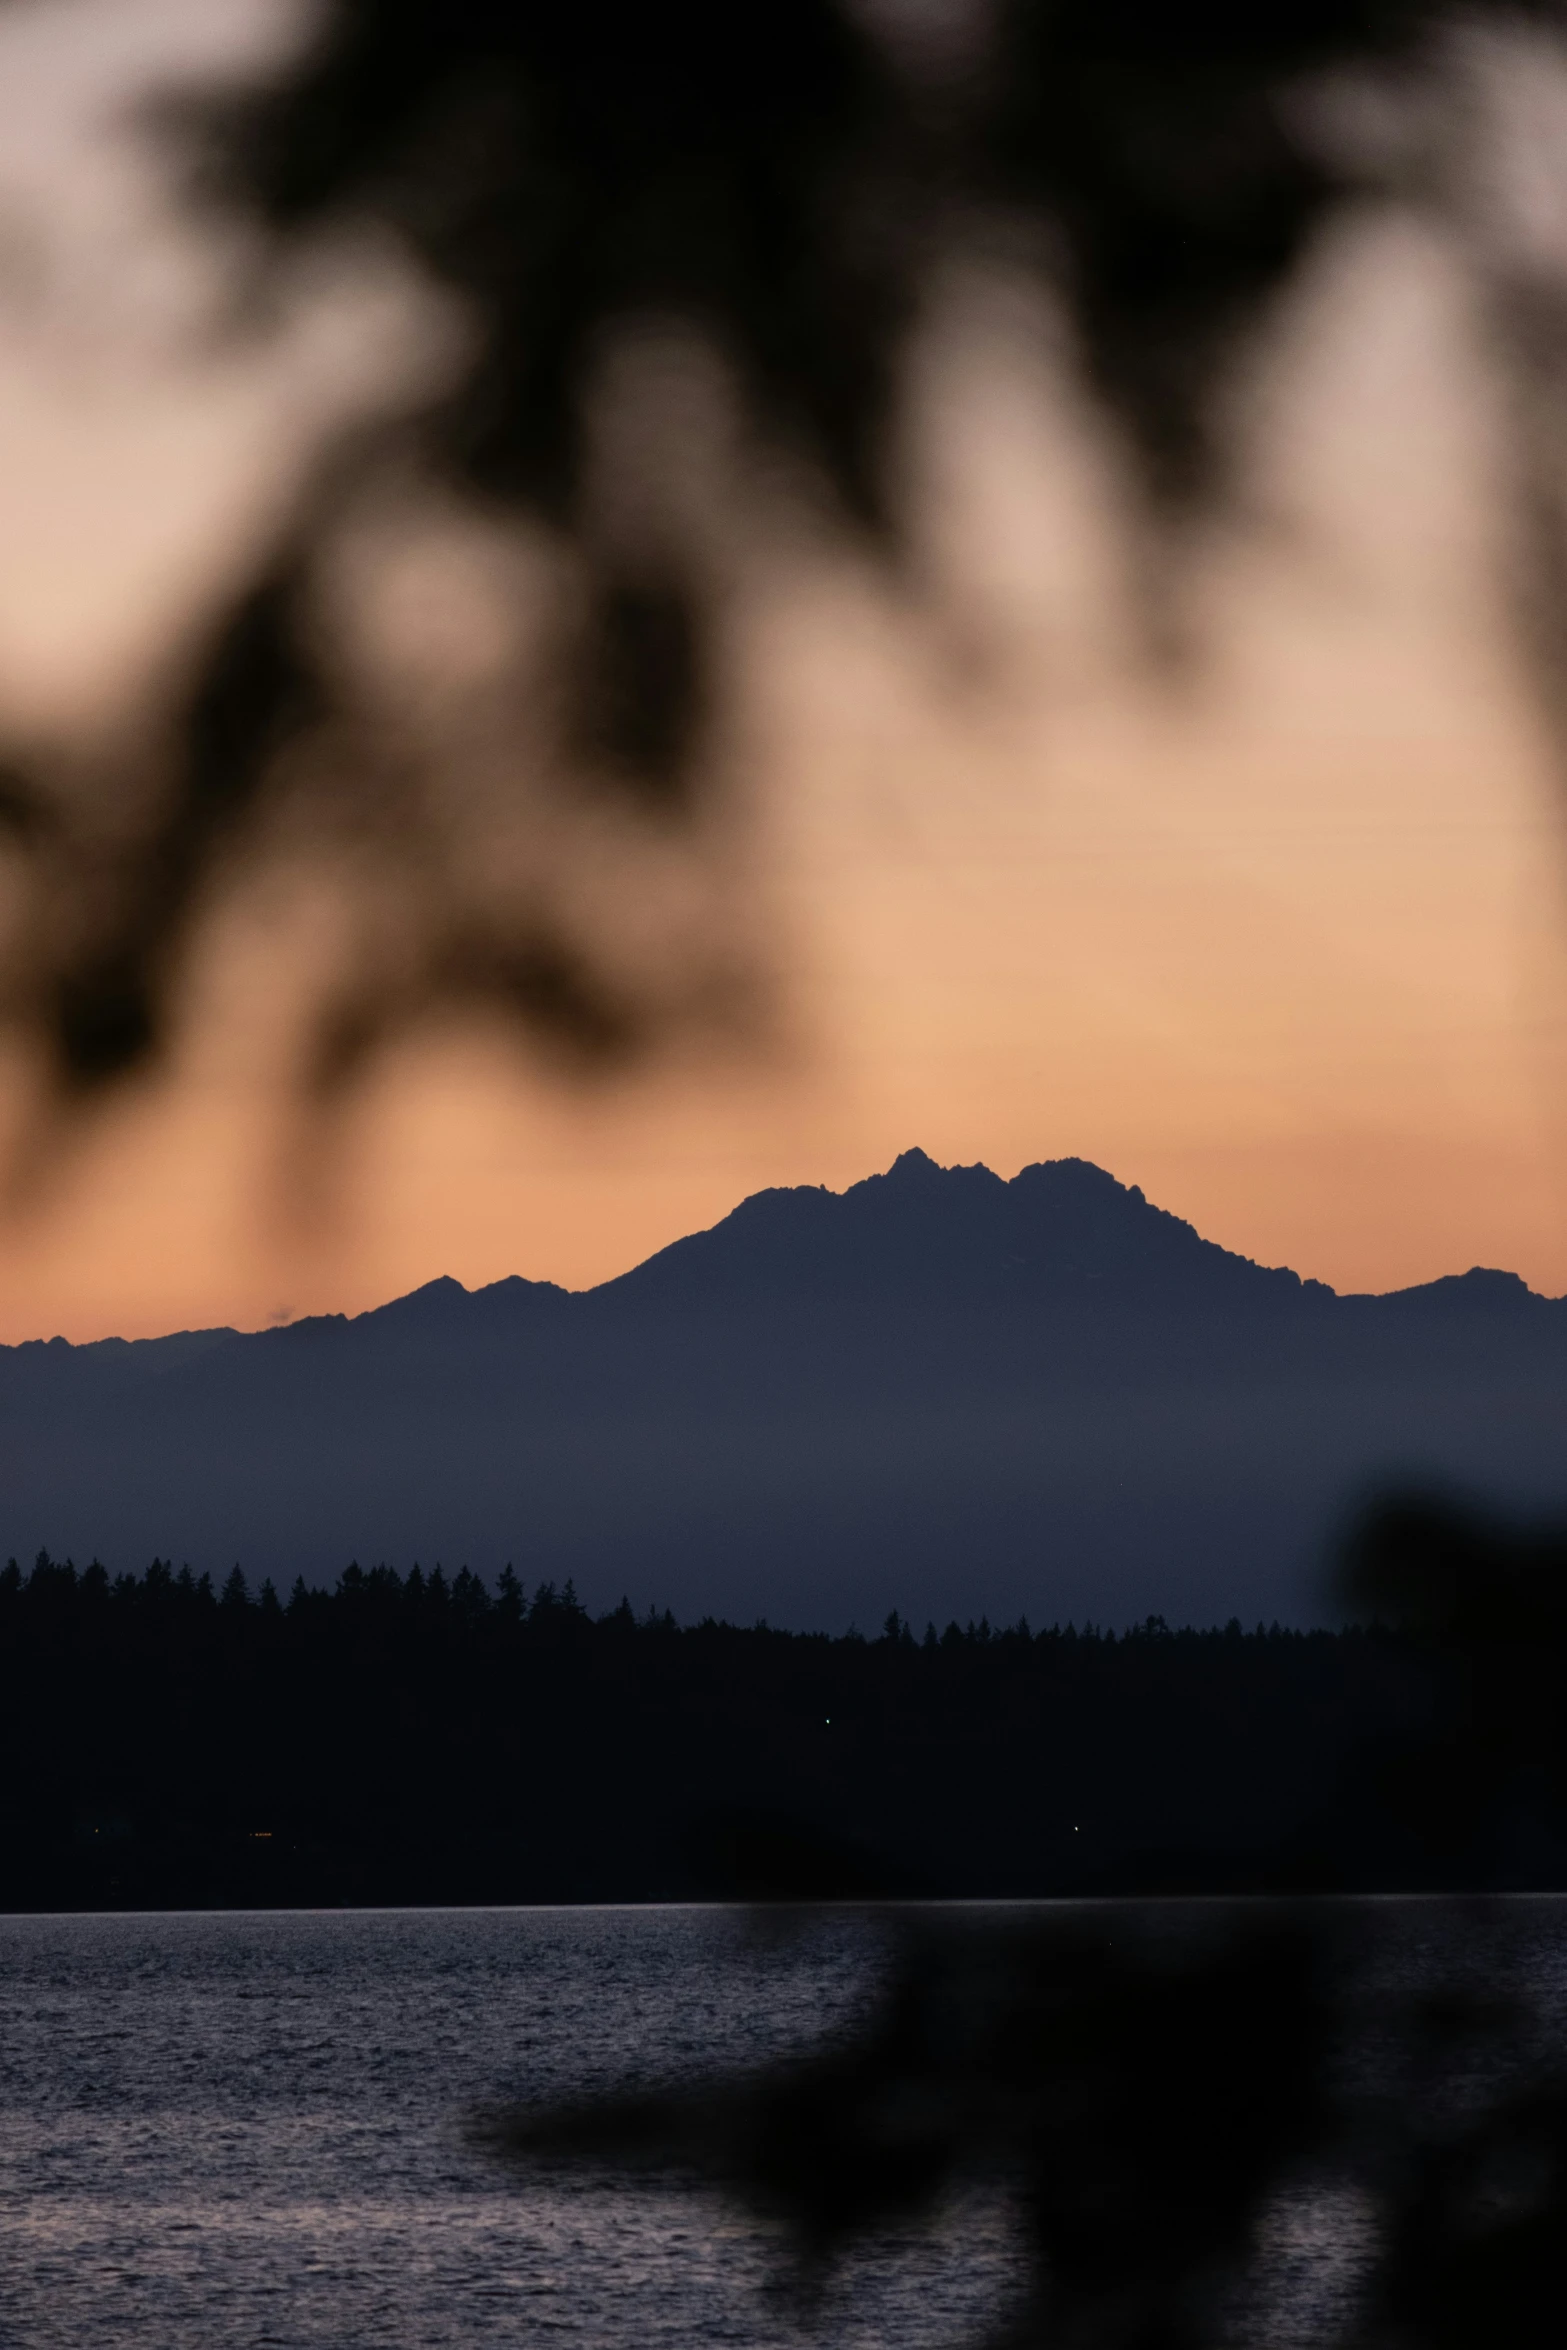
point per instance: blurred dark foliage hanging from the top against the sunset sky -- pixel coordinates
(690, 250)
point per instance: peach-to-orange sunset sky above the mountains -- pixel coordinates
(1282, 939)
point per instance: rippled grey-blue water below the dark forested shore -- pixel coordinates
(248, 2130)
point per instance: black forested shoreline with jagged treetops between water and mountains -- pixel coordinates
(422, 1738)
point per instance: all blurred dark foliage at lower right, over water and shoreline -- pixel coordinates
(1148, 2088)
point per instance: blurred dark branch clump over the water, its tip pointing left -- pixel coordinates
(1138, 2097)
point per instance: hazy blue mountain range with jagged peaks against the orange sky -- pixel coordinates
(936, 1392)
